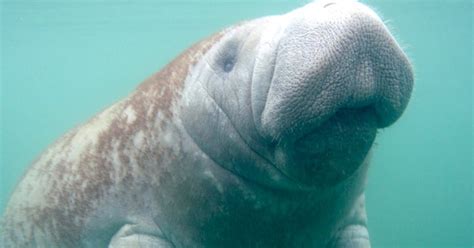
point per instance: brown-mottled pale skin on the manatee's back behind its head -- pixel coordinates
(103, 158)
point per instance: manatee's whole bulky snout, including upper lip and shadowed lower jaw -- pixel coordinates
(338, 76)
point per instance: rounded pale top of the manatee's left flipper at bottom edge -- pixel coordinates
(139, 235)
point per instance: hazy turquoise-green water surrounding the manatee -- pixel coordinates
(63, 61)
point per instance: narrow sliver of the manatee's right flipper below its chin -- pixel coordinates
(354, 234)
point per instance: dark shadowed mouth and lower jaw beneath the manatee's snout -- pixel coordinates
(332, 152)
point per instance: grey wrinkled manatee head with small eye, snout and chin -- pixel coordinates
(295, 100)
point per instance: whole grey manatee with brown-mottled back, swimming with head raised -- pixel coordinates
(256, 137)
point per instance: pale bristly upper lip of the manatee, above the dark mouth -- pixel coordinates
(379, 77)
